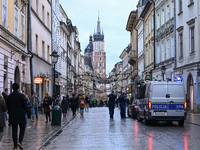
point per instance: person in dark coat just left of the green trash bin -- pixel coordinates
(47, 102)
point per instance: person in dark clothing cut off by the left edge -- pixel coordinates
(2, 119)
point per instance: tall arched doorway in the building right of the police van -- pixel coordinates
(190, 92)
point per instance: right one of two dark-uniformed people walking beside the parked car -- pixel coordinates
(122, 101)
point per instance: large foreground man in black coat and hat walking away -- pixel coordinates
(17, 107)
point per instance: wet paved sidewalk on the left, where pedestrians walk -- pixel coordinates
(36, 133)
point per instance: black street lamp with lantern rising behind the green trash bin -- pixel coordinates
(54, 59)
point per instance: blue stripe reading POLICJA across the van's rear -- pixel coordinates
(164, 106)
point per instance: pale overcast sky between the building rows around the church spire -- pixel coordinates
(113, 16)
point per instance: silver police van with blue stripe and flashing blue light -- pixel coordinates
(162, 101)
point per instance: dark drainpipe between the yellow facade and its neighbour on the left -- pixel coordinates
(29, 46)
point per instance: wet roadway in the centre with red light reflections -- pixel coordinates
(96, 131)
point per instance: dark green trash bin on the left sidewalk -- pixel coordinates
(56, 116)
